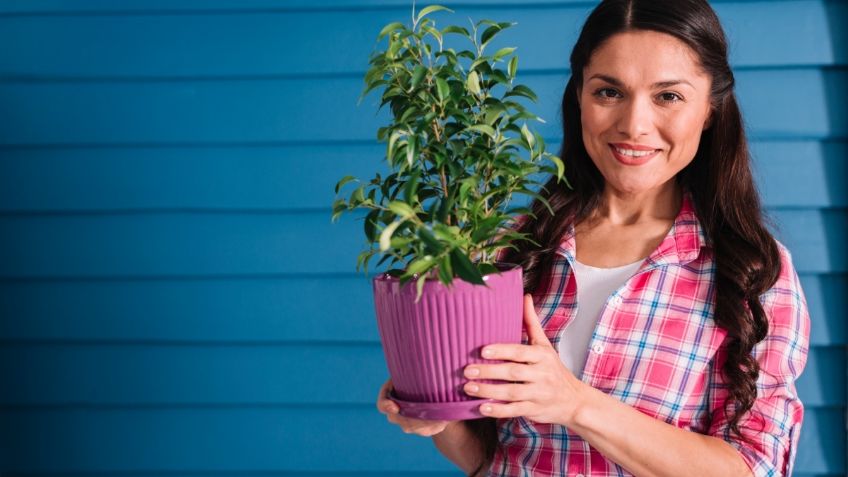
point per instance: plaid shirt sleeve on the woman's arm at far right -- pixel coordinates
(774, 422)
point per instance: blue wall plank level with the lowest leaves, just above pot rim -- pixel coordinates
(161, 244)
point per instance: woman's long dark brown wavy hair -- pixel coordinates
(719, 178)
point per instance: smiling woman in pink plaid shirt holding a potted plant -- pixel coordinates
(691, 326)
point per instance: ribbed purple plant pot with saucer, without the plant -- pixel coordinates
(428, 344)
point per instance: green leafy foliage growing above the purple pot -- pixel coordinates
(459, 149)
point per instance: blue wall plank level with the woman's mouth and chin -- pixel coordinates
(303, 177)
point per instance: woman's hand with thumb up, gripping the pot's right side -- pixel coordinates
(542, 388)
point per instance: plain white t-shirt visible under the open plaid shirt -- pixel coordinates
(594, 287)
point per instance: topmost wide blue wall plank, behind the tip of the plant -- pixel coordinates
(278, 38)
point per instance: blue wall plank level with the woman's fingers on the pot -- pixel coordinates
(299, 374)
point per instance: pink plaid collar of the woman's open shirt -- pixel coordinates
(681, 245)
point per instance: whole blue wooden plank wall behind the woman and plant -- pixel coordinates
(174, 299)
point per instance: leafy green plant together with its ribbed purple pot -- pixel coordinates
(459, 150)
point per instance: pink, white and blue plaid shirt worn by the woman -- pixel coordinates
(657, 348)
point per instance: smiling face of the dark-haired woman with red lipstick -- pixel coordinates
(643, 93)
